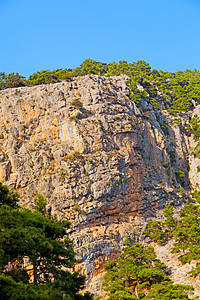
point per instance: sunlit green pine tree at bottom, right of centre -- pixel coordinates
(138, 274)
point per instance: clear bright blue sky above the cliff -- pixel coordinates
(46, 34)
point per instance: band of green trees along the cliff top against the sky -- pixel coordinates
(178, 90)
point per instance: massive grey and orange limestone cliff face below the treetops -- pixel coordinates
(100, 161)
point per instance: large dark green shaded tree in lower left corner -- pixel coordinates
(44, 241)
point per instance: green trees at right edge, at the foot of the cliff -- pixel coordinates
(185, 231)
